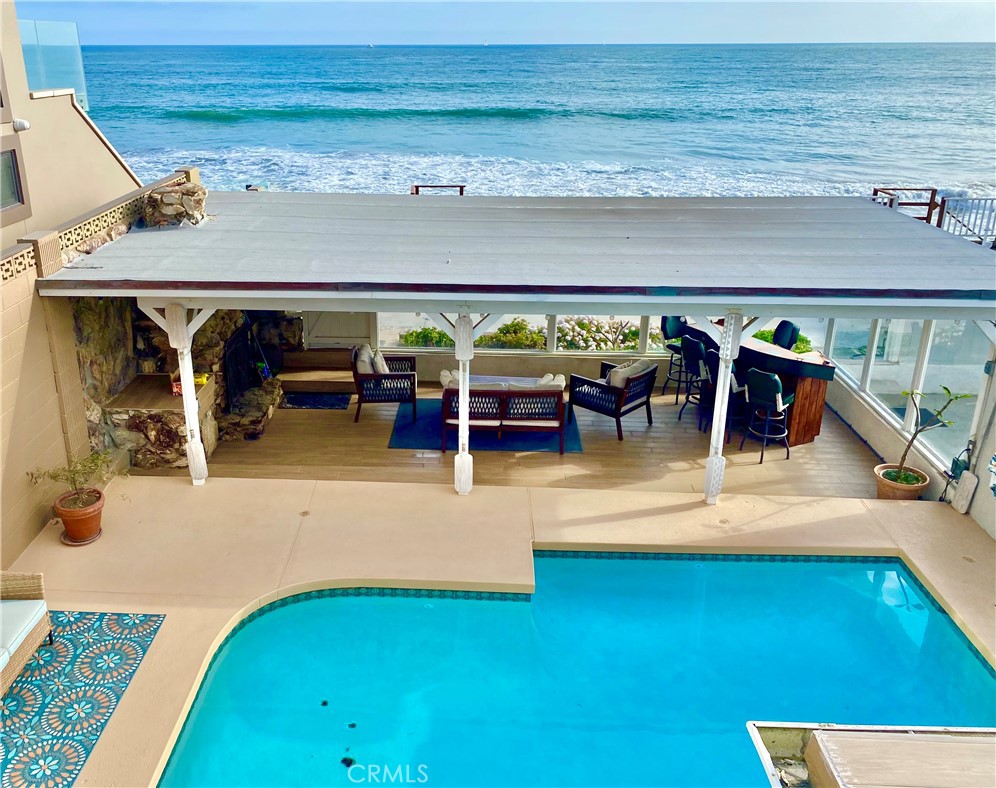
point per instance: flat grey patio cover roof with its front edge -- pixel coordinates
(782, 256)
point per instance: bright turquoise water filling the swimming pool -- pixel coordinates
(618, 671)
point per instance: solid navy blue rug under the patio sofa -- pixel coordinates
(425, 433)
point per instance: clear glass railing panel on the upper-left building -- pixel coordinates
(52, 57)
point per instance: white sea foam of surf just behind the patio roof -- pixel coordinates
(287, 170)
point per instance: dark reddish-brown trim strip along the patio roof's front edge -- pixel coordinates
(65, 283)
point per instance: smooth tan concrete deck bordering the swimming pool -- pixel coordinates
(207, 556)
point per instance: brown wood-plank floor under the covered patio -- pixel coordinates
(668, 456)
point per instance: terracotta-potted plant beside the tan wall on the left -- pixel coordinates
(79, 509)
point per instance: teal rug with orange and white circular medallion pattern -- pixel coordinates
(54, 712)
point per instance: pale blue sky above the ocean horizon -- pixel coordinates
(523, 22)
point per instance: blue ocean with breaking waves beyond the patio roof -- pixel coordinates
(556, 120)
